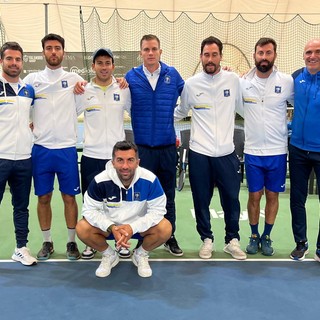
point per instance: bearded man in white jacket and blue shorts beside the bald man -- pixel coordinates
(265, 93)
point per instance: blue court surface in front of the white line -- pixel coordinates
(177, 290)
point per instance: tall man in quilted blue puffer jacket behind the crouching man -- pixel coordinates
(155, 88)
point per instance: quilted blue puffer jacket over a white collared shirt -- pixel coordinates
(152, 110)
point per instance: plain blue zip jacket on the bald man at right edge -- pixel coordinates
(306, 116)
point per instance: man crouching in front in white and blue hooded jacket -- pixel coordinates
(122, 201)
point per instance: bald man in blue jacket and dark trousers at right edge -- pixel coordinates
(304, 148)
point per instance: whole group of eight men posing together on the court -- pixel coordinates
(129, 189)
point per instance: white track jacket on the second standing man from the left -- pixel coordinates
(55, 108)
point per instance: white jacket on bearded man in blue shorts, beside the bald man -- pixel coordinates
(265, 116)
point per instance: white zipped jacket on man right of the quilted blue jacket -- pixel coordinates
(213, 101)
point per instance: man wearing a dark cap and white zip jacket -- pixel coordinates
(104, 103)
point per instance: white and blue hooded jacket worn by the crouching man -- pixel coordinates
(107, 201)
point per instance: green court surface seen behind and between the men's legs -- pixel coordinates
(186, 233)
